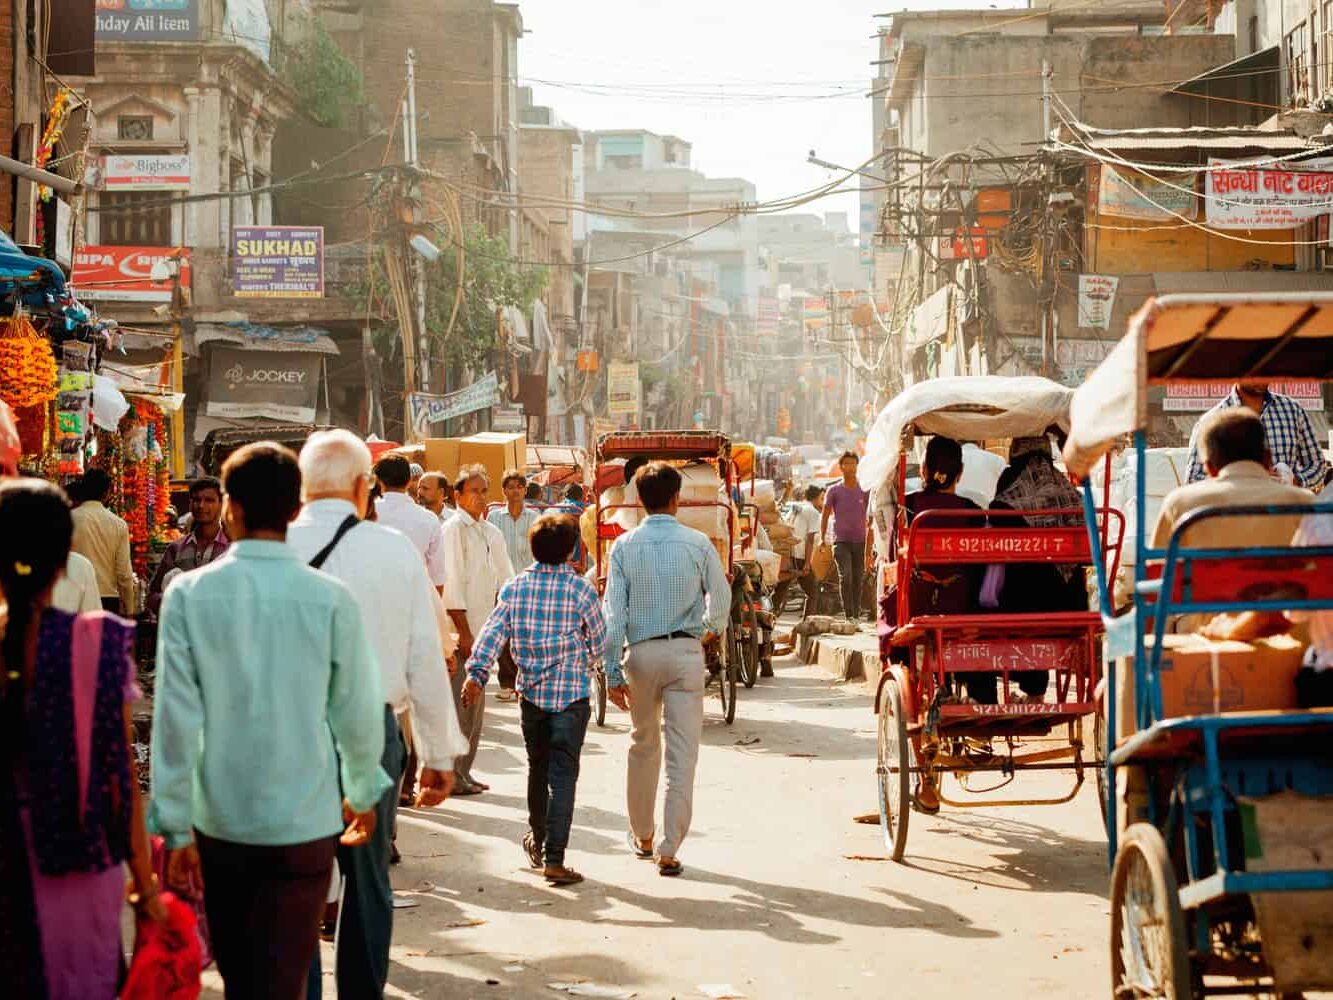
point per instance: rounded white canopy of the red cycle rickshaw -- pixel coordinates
(967, 409)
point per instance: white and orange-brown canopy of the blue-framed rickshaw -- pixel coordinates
(1195, 338)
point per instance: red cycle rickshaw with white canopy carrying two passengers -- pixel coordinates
(926, 727)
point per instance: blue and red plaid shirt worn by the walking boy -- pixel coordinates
(553, 622)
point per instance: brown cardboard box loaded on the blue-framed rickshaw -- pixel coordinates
(1202, 677)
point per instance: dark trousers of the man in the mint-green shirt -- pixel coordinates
(265, 907)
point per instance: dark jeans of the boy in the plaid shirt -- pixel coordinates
(555, 742)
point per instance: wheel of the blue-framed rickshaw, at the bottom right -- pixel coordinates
(1150, 954)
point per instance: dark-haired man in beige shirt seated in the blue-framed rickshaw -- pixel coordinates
(1239, 467)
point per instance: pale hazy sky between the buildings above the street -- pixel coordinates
(755, 89)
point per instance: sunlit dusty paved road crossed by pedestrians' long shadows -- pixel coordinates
(996, 903)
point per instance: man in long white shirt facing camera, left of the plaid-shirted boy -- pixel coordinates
(477, 566)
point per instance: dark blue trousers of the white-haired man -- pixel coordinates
(366, 918)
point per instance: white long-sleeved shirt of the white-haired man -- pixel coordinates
(399, 609)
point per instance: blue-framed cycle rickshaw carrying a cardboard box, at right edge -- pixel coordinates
(1224, 883)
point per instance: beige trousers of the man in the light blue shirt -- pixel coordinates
(667, 705)
